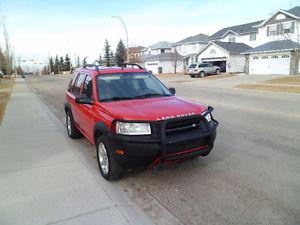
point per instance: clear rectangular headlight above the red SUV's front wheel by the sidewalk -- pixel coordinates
(133, 128)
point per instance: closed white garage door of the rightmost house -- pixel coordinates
(270, 64)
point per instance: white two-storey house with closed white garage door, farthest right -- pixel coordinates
(279, 51)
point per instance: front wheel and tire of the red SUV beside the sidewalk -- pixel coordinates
(108, 165)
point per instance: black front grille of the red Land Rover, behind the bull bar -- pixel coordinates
(181, 126)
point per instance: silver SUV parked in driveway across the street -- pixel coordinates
(202, 69)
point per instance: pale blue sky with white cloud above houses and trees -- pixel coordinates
(41, 27)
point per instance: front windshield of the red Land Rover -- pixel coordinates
(117, 87)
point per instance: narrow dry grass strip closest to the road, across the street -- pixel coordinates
(276, 88)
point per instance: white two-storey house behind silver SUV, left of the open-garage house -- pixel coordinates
(190, 46)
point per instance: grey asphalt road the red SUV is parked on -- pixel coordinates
(251, 177)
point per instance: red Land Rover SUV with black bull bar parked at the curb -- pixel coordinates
(134, 120)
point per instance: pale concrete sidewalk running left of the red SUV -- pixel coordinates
(46, 179)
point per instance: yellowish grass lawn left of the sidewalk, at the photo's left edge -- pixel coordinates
(5, 91)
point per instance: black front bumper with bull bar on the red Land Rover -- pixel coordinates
(164, 148)
